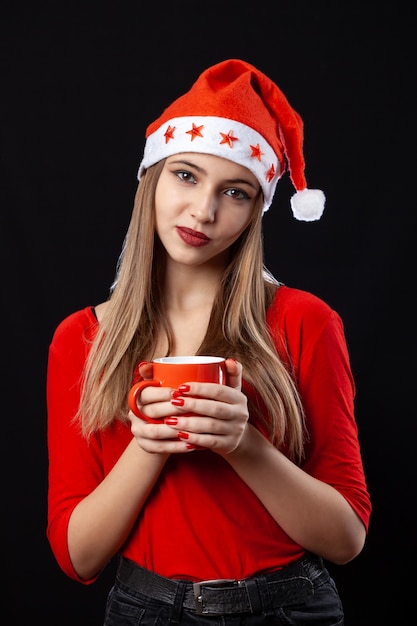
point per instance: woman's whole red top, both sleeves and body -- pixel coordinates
(201, 521)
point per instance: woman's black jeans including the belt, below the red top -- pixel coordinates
(302, 593)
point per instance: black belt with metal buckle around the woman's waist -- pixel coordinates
(293, 584)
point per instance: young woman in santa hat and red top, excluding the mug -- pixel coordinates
(230, 513)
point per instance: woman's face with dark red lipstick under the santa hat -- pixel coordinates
(202, 205)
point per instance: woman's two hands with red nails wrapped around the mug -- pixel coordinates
(218, 421)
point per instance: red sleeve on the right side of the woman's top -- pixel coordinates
(312, 334)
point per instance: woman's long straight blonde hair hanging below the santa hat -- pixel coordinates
(134, 318)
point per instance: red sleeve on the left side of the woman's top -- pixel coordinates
(68, 451)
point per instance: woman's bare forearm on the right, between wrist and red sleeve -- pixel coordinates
(311, 512)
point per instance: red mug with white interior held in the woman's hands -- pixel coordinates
(173, 371)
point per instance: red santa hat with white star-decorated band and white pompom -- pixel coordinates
(236, 112)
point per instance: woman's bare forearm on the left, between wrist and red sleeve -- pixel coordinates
(102, 521)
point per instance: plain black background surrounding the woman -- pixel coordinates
(79, 84)
